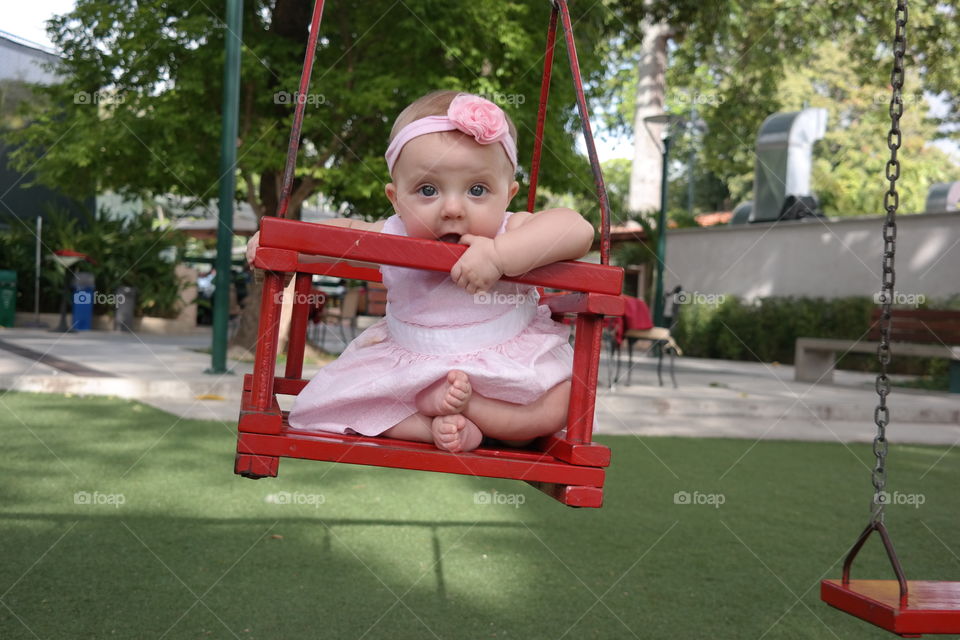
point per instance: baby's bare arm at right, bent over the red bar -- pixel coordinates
(530, 241)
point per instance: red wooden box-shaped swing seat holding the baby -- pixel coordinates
(566, 465)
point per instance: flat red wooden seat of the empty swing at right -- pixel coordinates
(932, 607)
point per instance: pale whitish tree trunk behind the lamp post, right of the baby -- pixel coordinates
(647, 167)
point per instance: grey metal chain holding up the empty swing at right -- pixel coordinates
(881, 415)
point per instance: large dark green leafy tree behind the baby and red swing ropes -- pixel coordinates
(138, 110)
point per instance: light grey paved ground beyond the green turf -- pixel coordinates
(714, 397)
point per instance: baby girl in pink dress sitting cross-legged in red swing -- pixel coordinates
(463, 355)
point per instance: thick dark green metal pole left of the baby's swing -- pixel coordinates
(228, 165)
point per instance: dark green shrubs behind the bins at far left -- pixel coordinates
(132, 252)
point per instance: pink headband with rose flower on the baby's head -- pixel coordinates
(470, 114)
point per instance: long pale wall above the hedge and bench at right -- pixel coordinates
(819, 258)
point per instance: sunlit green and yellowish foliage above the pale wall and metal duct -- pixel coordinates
(738, 62)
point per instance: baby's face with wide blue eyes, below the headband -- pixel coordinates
(447, 185)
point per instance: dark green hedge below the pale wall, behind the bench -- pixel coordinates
(767, 330)
